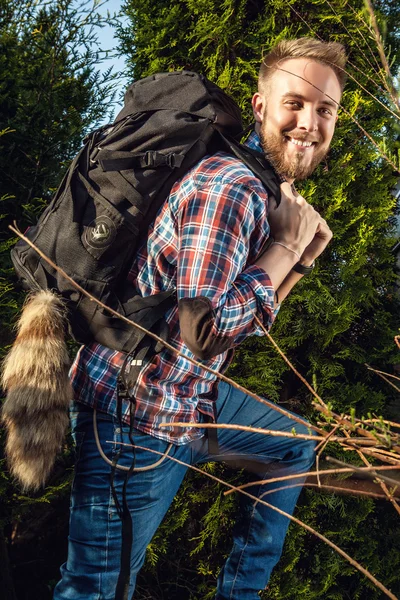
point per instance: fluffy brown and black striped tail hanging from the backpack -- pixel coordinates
(35, 375)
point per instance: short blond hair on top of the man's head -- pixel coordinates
(331, 54)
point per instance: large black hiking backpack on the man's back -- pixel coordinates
(112, 192)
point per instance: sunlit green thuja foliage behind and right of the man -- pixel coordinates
(334, 322)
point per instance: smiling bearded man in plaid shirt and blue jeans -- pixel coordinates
(208, 242)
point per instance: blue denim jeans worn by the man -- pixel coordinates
(92, 568)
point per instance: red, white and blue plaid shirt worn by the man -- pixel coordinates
(206, 236)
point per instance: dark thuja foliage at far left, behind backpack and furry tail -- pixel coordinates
(51, 94)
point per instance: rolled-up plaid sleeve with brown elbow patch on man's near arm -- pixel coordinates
(221, 230)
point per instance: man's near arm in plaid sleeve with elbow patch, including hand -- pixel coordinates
(219, 295)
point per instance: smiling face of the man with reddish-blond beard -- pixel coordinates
(297, 120)
